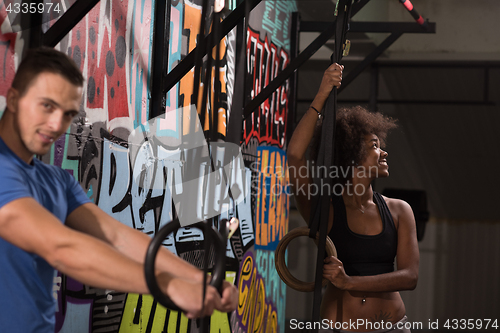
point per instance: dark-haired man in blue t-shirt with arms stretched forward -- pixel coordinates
(47, 221)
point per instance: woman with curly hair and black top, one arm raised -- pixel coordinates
(369, 230)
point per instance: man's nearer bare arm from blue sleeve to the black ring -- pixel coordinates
(29, 226)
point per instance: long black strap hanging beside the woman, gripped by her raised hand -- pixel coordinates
(321, 205)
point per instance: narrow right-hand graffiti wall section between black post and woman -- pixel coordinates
(262, 295)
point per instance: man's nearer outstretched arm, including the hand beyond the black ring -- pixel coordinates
(29, 226)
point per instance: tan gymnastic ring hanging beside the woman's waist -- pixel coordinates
(279, 259)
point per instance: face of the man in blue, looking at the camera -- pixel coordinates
(44, 113)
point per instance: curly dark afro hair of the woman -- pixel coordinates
(352, 124)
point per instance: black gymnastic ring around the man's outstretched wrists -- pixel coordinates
(218, 274)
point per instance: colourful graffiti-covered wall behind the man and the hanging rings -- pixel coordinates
(135, 168)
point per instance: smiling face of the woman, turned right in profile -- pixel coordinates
(374, 164)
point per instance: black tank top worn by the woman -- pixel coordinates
(364, 254)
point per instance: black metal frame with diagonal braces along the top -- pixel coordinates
(163, 82)
